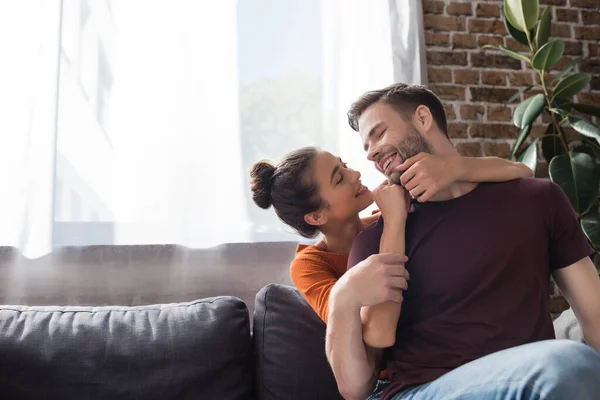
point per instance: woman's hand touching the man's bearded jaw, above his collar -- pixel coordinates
(426, 175)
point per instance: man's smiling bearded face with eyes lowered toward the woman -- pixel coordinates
(388, 138)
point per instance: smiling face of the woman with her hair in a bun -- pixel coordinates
(340, 188)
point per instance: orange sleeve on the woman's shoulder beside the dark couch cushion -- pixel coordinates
(314, 281)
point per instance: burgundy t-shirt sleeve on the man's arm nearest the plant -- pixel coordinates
(568, 243)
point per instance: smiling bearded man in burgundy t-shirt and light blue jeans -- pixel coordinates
(475, 322)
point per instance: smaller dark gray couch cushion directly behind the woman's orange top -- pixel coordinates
(289, 348)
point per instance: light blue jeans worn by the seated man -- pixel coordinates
(550, 370)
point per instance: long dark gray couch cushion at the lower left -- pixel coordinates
(196, 350)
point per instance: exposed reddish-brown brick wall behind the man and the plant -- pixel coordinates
(475, 84)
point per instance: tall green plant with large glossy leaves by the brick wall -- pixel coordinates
(573, 165)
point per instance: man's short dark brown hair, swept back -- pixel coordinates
(404, 99)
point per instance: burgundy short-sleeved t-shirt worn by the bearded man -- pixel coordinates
(479, 275)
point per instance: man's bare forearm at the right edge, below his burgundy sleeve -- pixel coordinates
(580, 285)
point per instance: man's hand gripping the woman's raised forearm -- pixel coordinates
(379, 278)
